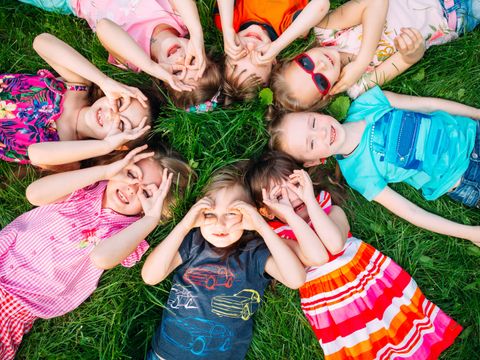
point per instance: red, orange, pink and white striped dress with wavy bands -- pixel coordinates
(362, 305)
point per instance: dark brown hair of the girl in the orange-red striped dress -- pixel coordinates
(278, 166)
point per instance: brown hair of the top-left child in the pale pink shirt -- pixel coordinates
(207, 86)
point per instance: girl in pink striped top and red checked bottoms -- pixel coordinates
(87, 220)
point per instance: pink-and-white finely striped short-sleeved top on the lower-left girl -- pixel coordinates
(44, 253)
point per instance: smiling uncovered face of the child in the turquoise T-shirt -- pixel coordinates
(310, 137)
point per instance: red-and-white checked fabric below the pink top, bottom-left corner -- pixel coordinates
(15, 321)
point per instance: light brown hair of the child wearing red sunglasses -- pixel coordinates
(285, 98)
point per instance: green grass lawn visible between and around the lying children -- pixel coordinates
(118, 321)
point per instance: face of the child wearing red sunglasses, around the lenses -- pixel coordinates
(300, 82)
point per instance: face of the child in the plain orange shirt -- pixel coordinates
(252, 38)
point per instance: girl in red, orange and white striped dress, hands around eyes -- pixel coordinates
(359, 302)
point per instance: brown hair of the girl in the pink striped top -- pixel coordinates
(183, 175)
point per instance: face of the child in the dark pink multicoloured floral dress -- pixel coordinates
(98, 118)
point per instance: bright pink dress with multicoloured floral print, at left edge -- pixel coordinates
(29, 107)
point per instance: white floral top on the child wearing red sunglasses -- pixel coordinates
(425, 15)
